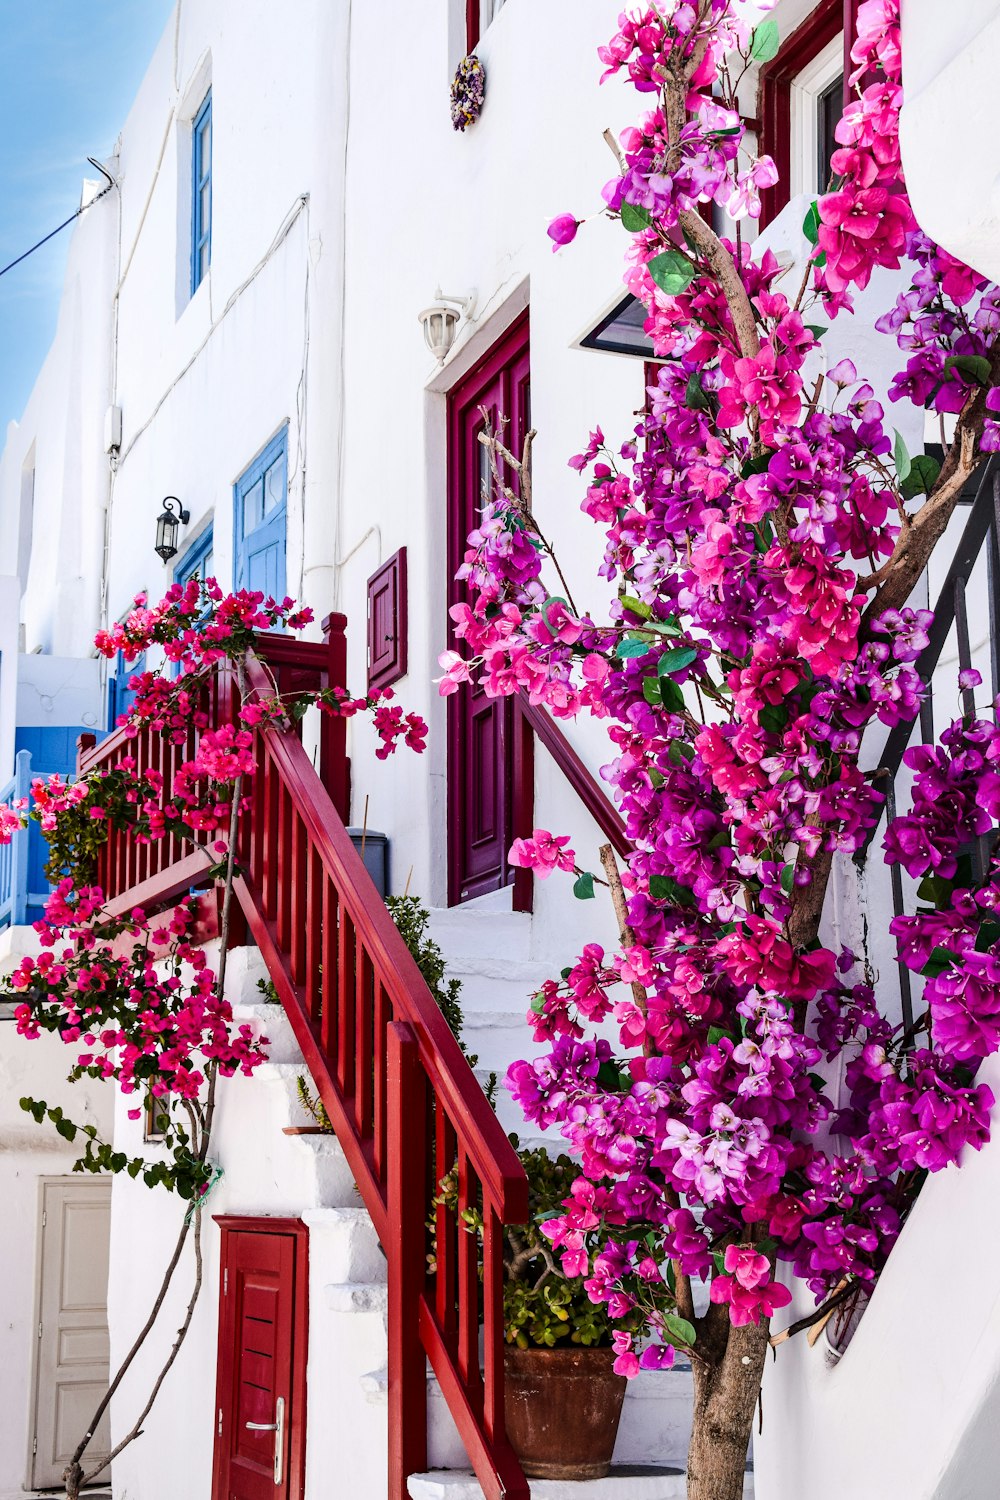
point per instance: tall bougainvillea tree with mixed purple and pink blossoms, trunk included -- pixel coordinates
(764, 532)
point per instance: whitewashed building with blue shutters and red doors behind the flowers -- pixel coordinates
(241, 331)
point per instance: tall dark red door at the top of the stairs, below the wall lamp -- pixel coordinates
(481, 728)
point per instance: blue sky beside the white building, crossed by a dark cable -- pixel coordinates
(70, 70)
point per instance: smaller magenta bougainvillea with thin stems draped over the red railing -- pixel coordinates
(131, 994)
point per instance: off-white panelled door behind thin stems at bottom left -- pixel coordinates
(71, 1367)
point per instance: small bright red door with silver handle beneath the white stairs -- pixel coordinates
(262, 1387)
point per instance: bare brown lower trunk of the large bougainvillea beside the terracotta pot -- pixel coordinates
(726, 1393)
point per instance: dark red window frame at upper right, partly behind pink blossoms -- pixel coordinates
(777, 83)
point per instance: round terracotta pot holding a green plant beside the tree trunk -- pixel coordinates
(563, 1411)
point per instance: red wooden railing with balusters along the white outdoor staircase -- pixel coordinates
(395, 1082)
